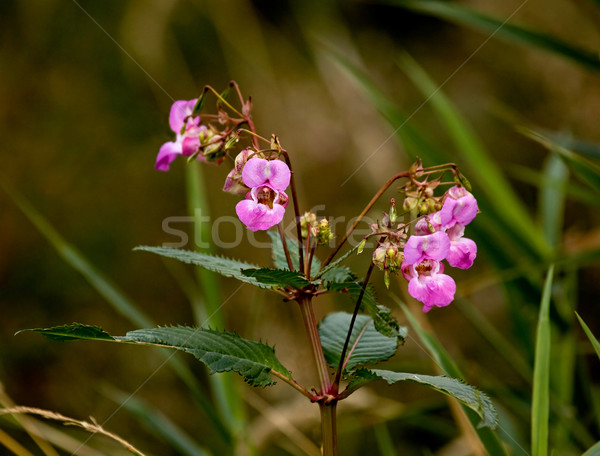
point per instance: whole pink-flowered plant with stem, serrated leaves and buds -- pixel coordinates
(413, 240)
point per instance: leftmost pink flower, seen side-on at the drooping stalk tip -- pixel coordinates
(185, 127)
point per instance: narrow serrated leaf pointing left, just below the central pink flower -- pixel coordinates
(225, 266)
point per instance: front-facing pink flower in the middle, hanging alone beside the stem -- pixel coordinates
(265, 204)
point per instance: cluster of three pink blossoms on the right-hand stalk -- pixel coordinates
(439, 236)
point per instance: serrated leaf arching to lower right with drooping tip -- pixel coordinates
(466, 394)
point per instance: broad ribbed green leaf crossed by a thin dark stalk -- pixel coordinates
(366, 346)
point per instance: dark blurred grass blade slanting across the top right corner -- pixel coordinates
(502, 29)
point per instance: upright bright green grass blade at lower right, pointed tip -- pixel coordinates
(540, 407)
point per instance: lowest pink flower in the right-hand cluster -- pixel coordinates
(428, 284)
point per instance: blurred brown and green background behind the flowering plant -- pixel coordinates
(86, 89)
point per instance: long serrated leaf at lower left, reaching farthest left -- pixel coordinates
(221, 351)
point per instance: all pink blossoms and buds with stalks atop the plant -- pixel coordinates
(263, 178)
